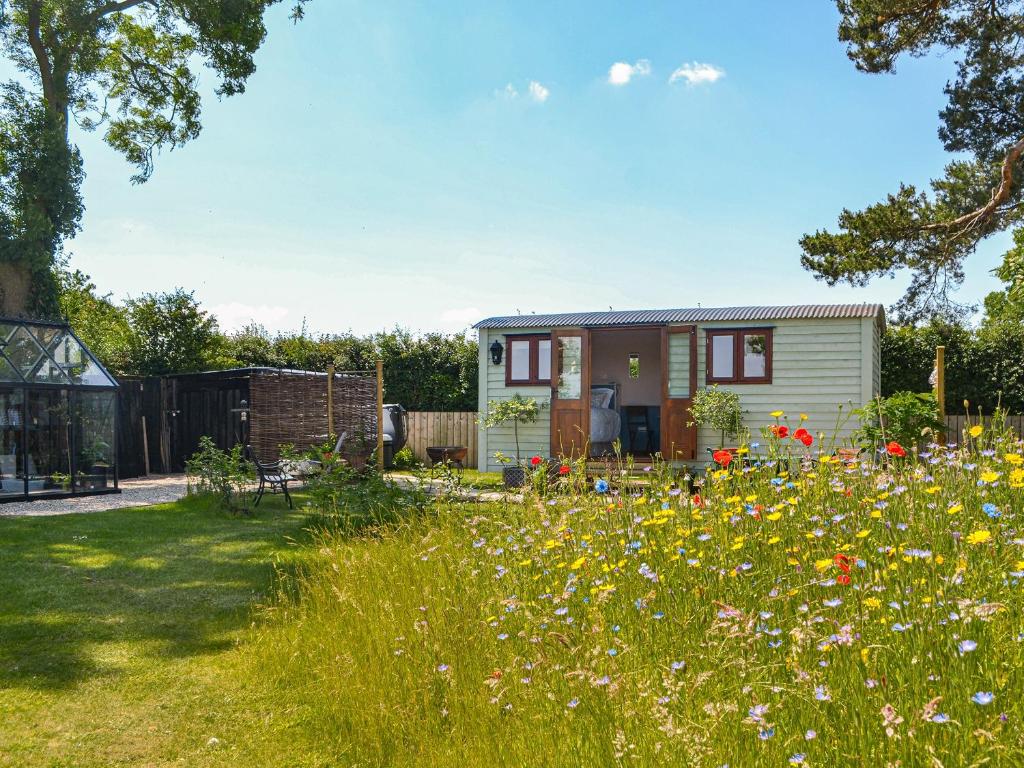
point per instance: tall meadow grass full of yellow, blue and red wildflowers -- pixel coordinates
(859, 613)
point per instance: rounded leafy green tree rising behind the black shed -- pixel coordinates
(172, 334)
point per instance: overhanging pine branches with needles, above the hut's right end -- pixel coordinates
(980, 193)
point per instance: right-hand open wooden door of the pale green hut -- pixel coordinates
(679, 381)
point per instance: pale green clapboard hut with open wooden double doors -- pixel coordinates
(630, 376)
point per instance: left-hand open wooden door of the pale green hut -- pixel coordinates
(570, 393)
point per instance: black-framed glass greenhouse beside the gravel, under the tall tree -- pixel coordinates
(58, 415)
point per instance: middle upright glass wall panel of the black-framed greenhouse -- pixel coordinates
(49, 451)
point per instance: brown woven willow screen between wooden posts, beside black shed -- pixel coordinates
(291, 408)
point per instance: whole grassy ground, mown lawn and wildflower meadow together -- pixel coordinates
(788, 612)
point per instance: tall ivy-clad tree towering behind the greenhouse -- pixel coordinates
(126, 65)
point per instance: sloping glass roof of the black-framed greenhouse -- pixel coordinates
(48, 354)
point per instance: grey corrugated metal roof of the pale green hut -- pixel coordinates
(693, 315)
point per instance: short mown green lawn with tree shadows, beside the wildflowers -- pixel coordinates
(122, 633)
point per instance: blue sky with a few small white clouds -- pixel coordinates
(426, 165)
